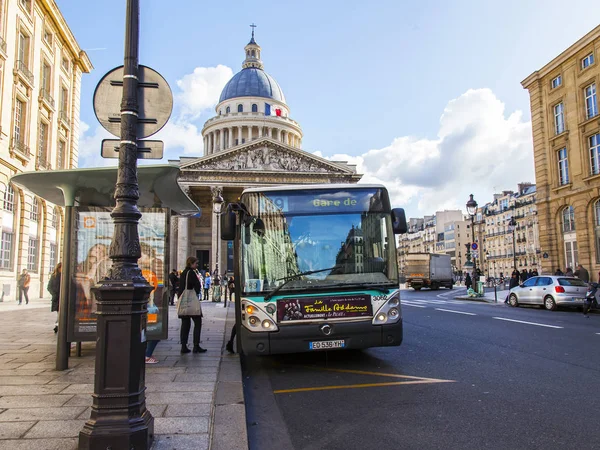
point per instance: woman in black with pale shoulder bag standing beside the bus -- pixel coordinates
(188, 305)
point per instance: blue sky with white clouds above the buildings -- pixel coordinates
(424, 96)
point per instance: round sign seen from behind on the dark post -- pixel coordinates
(155, 101)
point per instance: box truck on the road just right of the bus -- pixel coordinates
(428, 270)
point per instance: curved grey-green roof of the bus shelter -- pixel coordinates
(96, 186)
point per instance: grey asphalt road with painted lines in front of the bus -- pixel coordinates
(468, 376)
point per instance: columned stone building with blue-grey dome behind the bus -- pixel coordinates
(251, 141)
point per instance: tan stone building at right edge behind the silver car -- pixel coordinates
(566, 142)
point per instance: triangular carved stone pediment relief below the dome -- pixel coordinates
(266, 159)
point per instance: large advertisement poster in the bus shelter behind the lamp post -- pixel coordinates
(93, 231)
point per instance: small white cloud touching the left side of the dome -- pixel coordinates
(200, 90)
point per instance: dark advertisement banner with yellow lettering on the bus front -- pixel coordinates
(330, 307)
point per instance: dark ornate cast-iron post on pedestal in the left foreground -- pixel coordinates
(119, 418)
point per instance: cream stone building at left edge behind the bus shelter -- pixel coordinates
(41, 65)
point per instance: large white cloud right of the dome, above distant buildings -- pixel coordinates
(479, 150)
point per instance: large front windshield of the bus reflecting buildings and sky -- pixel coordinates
(301, 240)
